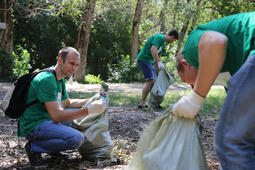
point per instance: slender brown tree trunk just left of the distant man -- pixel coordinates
(135, 29)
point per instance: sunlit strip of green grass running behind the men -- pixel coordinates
(212, 105)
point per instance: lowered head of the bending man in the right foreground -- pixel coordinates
(187, 73)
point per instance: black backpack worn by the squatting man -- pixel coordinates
(13, 103)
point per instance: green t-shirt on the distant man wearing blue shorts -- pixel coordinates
(145, 54)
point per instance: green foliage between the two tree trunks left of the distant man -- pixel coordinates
(110, 38)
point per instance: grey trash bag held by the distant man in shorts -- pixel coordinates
(157, 94)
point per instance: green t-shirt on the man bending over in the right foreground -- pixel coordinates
(240, 31)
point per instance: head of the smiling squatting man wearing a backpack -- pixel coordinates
(68, 61)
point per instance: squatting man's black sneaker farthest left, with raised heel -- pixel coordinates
(35, 158)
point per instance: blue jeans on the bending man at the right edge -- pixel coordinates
(235, 130)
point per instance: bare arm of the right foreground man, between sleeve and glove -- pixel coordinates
(212, 52)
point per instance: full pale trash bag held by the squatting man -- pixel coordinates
(97, 144)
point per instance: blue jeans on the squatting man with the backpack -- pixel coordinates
(50, 137)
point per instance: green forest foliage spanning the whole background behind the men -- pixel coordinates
(43, 27)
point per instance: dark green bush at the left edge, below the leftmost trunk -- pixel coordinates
(6, 63)
